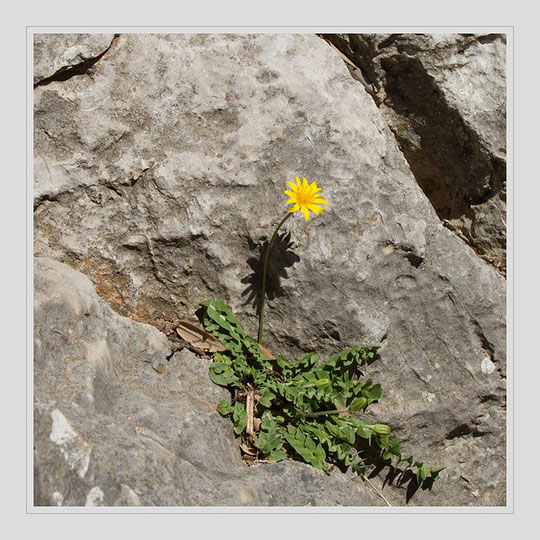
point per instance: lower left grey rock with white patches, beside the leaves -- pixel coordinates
(117, 423)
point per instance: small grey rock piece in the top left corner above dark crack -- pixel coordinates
(56, 54)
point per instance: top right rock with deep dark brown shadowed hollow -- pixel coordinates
(444, 97)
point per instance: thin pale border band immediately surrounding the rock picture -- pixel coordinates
(192, 29)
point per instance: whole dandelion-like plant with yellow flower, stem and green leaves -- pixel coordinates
(305, 410)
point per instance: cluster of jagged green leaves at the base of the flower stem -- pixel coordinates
(290, 392)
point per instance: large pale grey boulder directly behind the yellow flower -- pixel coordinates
(159, 174)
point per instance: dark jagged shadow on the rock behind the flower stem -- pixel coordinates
(282, 257)
